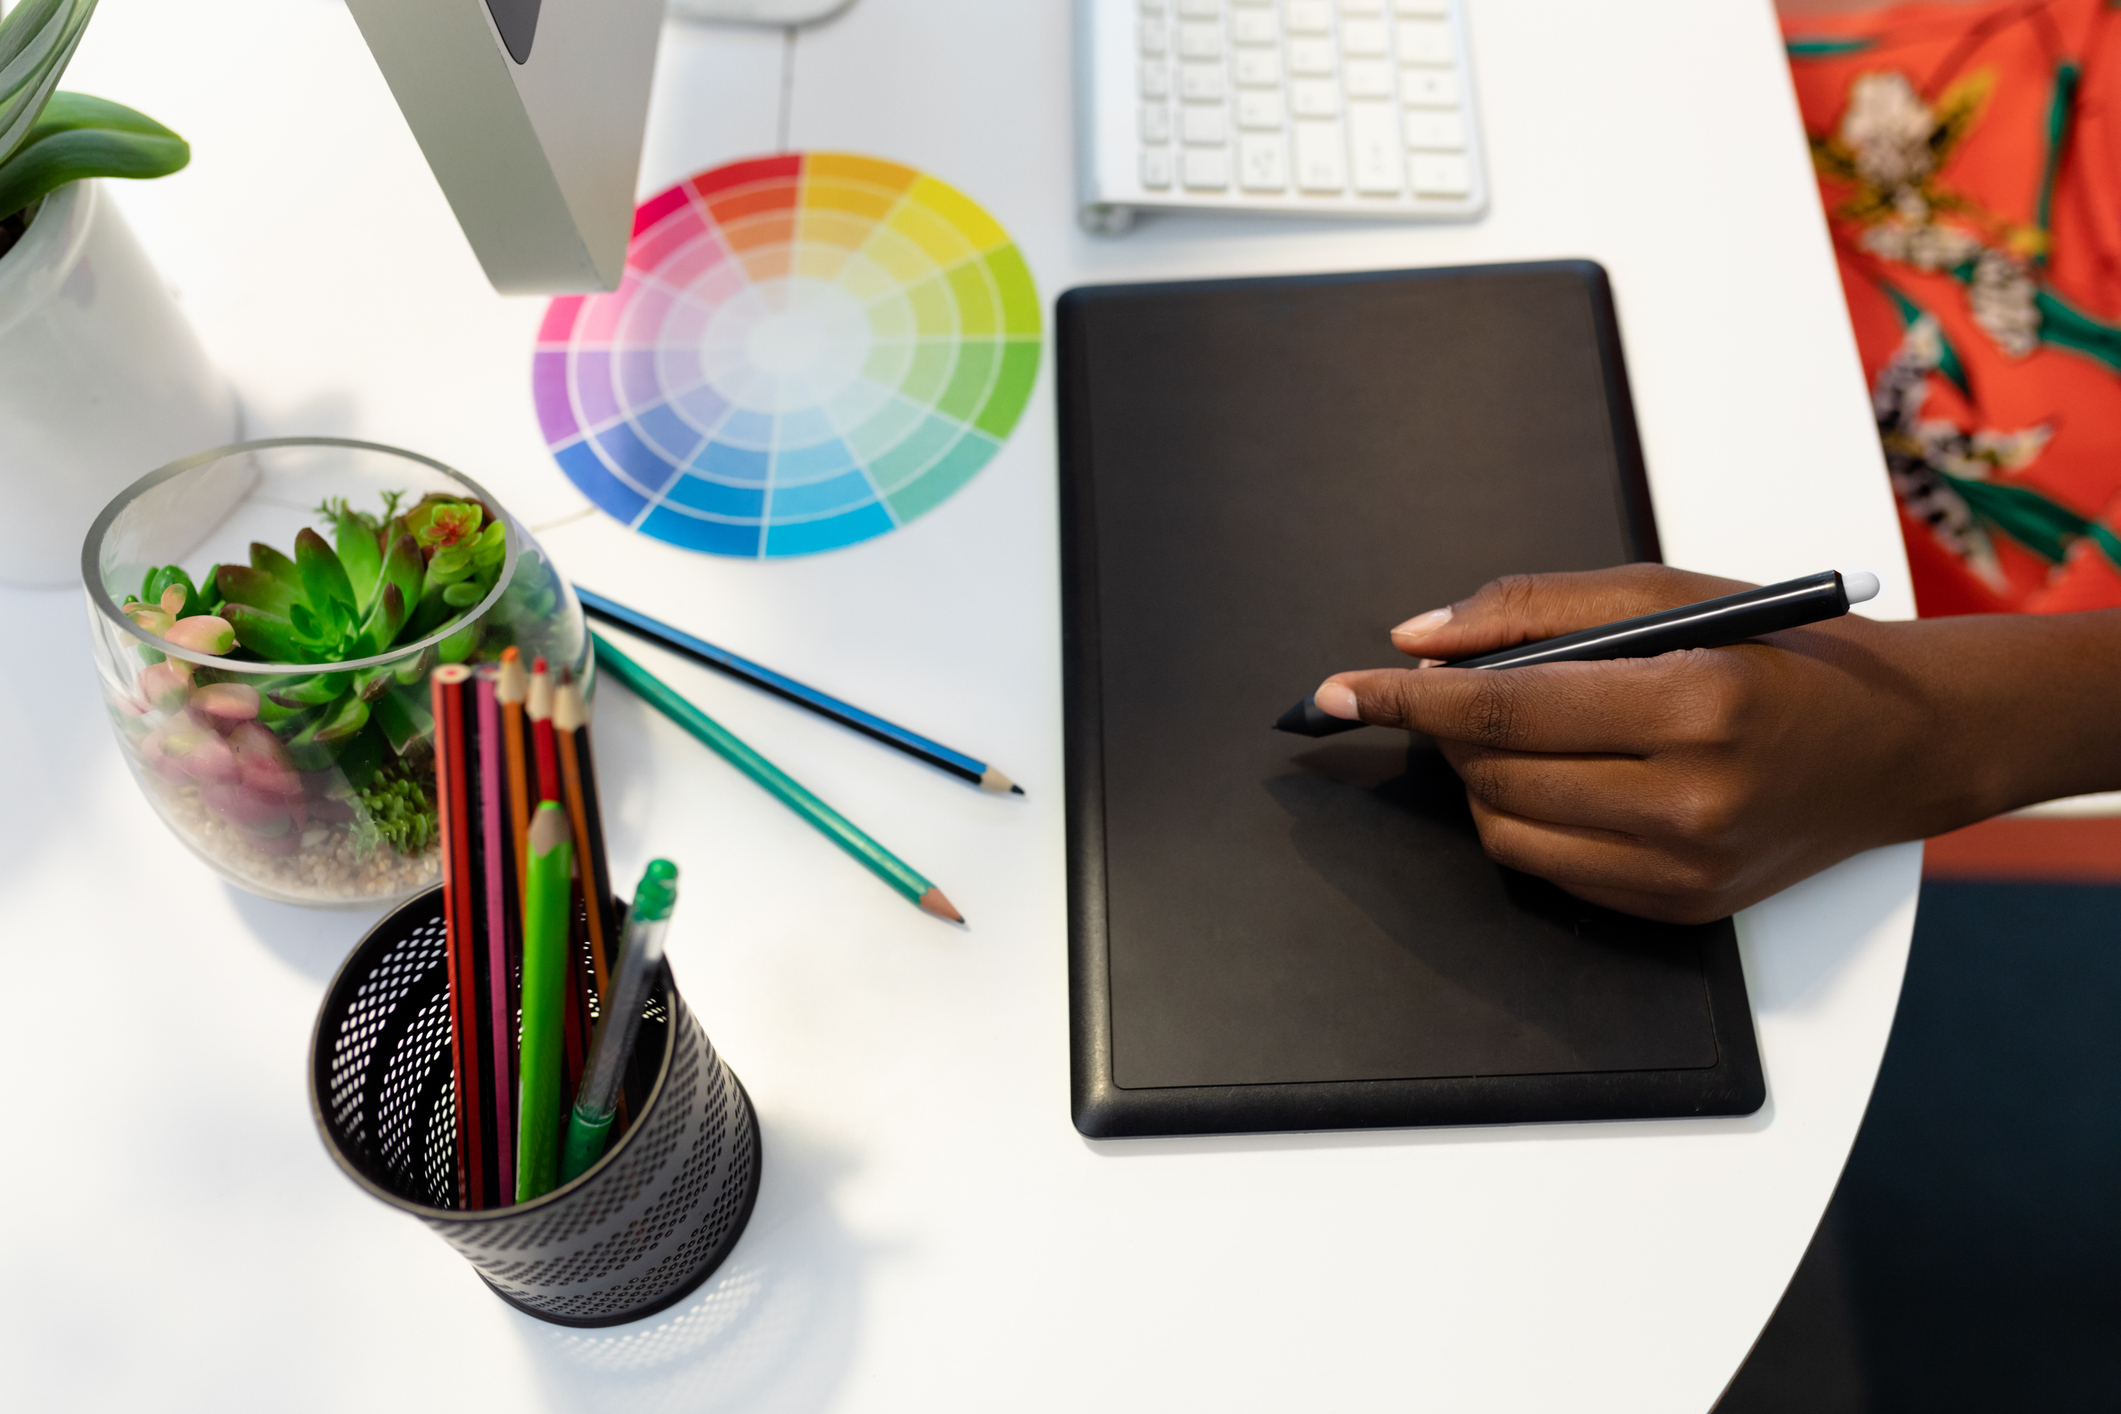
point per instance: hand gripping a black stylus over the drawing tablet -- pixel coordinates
(1689, 785)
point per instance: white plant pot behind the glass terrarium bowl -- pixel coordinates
(101, 383)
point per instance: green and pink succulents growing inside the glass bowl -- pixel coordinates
(328, 743)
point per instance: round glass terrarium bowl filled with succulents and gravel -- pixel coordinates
(285, 732)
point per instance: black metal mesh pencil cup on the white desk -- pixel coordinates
(633, 1235)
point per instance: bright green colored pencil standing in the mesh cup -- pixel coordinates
(546, 966)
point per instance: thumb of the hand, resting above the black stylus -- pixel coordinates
(1526, 607)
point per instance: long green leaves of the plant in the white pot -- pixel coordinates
(50, 139)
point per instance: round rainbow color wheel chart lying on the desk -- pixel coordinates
(805, 353)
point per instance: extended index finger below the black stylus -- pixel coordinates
(1626, 705)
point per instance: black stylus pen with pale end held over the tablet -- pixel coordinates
(1708, 624)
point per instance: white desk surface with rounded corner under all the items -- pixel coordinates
(932, 1233)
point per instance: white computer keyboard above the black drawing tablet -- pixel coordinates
(1331, 107)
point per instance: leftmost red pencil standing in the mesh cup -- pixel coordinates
(459, 934)
